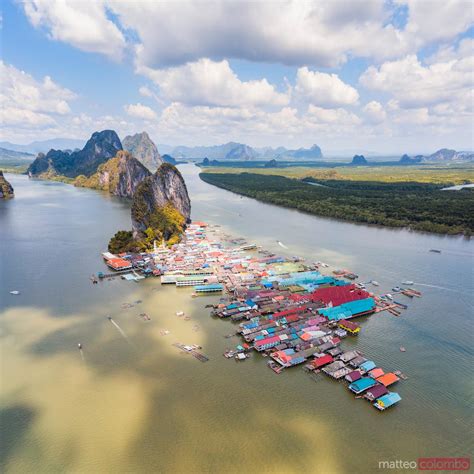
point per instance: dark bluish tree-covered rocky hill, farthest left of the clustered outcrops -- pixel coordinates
(99, 148)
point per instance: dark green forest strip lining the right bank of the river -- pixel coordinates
(419, 206)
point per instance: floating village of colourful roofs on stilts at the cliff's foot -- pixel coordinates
(291, 312)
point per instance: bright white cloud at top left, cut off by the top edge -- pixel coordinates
(82, 24)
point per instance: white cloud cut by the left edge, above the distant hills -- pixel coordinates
(24, 101)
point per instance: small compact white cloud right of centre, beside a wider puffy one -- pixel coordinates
(324, 89)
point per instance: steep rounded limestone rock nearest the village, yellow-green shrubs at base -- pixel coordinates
(155, 199)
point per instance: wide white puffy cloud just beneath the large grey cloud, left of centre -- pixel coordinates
(207, 82)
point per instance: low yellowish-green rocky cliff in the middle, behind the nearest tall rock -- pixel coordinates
(119, 176)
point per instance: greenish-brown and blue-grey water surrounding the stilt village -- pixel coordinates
(138, 405)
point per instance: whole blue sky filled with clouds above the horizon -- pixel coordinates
(387, 77)
